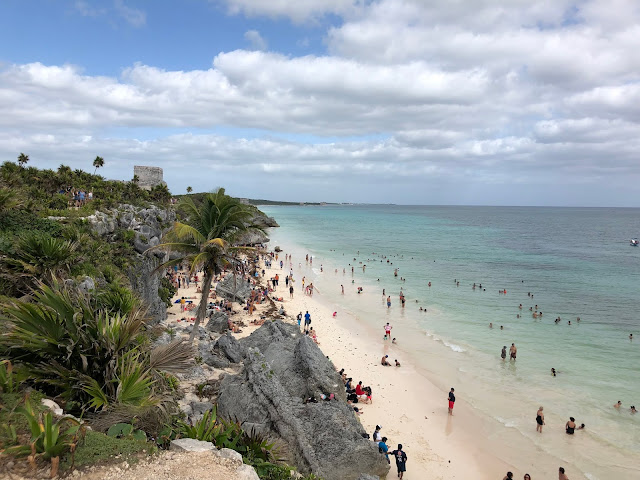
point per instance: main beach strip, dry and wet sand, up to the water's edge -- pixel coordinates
(412, 403)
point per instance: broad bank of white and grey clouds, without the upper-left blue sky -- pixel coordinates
(482, 96)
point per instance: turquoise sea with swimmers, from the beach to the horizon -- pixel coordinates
(575, 262)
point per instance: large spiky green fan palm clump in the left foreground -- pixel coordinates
(85, 350)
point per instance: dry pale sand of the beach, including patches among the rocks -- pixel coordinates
(410, 409)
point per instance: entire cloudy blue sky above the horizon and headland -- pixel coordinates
(456, 102)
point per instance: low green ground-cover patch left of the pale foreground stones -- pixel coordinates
(99, 448)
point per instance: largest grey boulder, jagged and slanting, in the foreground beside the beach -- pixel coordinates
(281, 368)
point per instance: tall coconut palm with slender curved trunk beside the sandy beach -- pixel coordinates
(207, 239)
